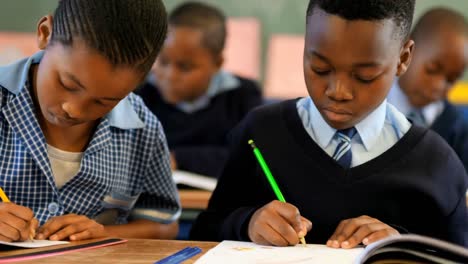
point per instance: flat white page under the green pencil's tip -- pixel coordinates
(228, 252)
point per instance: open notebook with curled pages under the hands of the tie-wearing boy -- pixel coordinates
(398, 249)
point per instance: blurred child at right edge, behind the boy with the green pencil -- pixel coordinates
(439, 61)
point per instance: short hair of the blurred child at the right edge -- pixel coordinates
(437, 20)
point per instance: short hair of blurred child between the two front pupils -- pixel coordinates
(208, 19)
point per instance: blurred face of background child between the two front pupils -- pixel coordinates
(184, 67)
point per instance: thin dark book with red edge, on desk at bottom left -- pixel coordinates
(30, 254)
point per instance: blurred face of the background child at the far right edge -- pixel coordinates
(438, 62)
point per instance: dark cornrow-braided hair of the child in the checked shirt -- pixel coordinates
(126, 32)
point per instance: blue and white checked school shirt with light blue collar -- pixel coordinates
(124, 170)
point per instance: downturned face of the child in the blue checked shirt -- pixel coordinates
(75, 85)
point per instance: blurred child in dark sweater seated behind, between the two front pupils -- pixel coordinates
(196, 101)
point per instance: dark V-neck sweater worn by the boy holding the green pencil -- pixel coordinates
(417, 185)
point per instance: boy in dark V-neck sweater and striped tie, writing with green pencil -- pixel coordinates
(346, 161)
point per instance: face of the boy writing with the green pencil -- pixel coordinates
(349, 66)
